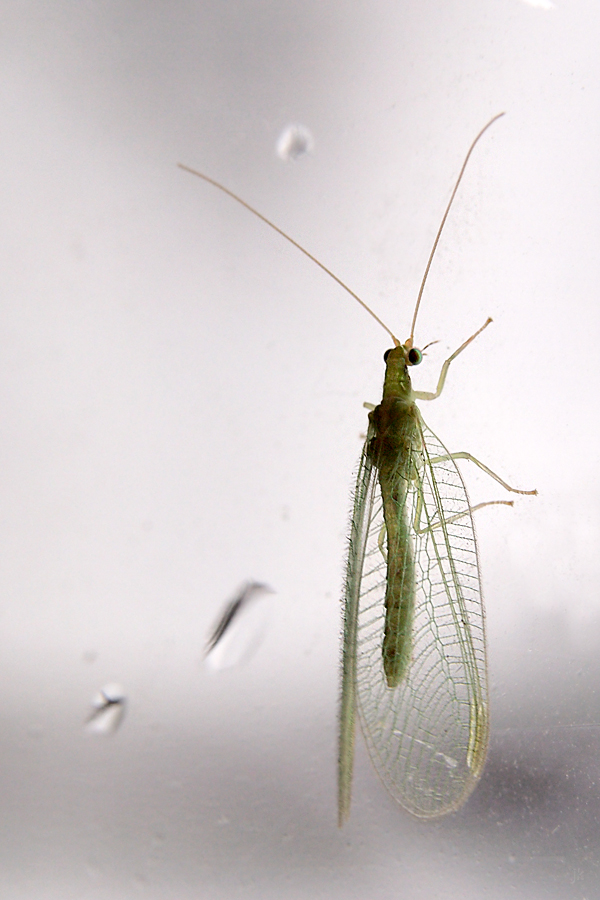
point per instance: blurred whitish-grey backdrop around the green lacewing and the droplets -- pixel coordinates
(181, 396)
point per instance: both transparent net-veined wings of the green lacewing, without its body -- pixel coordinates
(427, 736)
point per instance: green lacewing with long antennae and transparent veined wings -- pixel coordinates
(414, 668)
